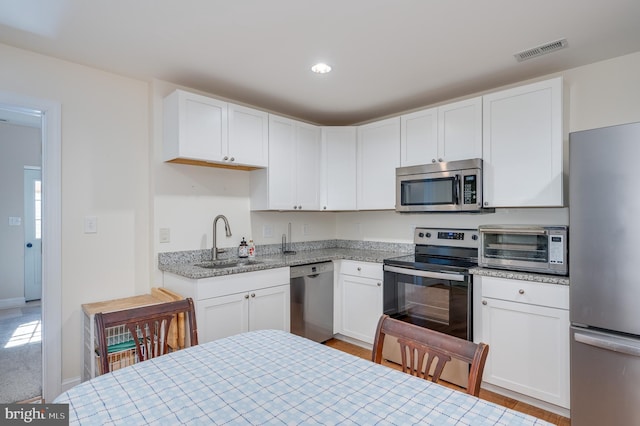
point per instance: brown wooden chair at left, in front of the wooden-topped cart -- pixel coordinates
(149, 328)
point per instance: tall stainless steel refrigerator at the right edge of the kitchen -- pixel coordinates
(604, 253)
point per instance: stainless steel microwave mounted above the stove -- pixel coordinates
(454, 186)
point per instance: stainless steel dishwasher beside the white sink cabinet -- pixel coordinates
(312, 301)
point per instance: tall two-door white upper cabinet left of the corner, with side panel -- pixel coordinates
(292, 180)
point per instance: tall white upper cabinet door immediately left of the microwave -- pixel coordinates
(378, 157)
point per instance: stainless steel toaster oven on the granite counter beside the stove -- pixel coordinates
(542, 249)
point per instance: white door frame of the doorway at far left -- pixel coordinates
(51, 234)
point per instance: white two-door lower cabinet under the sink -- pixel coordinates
(237, 303)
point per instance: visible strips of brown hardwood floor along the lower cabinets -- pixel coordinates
(484, 394)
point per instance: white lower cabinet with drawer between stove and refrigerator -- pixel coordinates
(526, 325)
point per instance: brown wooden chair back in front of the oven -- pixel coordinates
(416, 343)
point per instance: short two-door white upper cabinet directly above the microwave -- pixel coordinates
(446, 133)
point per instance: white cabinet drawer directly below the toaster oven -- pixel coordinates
(534, 293)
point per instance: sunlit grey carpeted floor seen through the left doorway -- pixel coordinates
(20, 353)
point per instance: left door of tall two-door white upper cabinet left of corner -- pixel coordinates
(282, 157)
